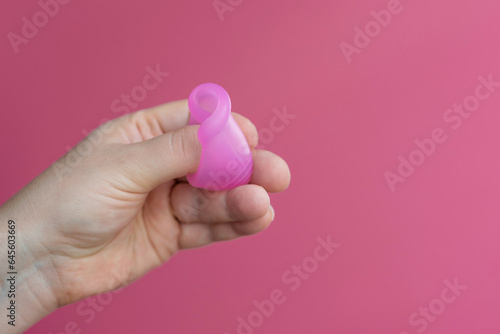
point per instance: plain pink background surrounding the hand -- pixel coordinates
(352, 121)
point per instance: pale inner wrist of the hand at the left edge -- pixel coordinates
(26, 270)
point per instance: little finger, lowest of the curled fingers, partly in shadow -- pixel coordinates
(198, 235)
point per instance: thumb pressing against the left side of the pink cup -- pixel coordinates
(163, 158)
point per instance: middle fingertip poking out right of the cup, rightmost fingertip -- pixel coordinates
(270, 171)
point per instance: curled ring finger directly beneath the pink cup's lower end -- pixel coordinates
(244, 203)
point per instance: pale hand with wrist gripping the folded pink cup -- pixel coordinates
(126, 208)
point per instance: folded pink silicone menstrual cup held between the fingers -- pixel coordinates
(226, 159)
